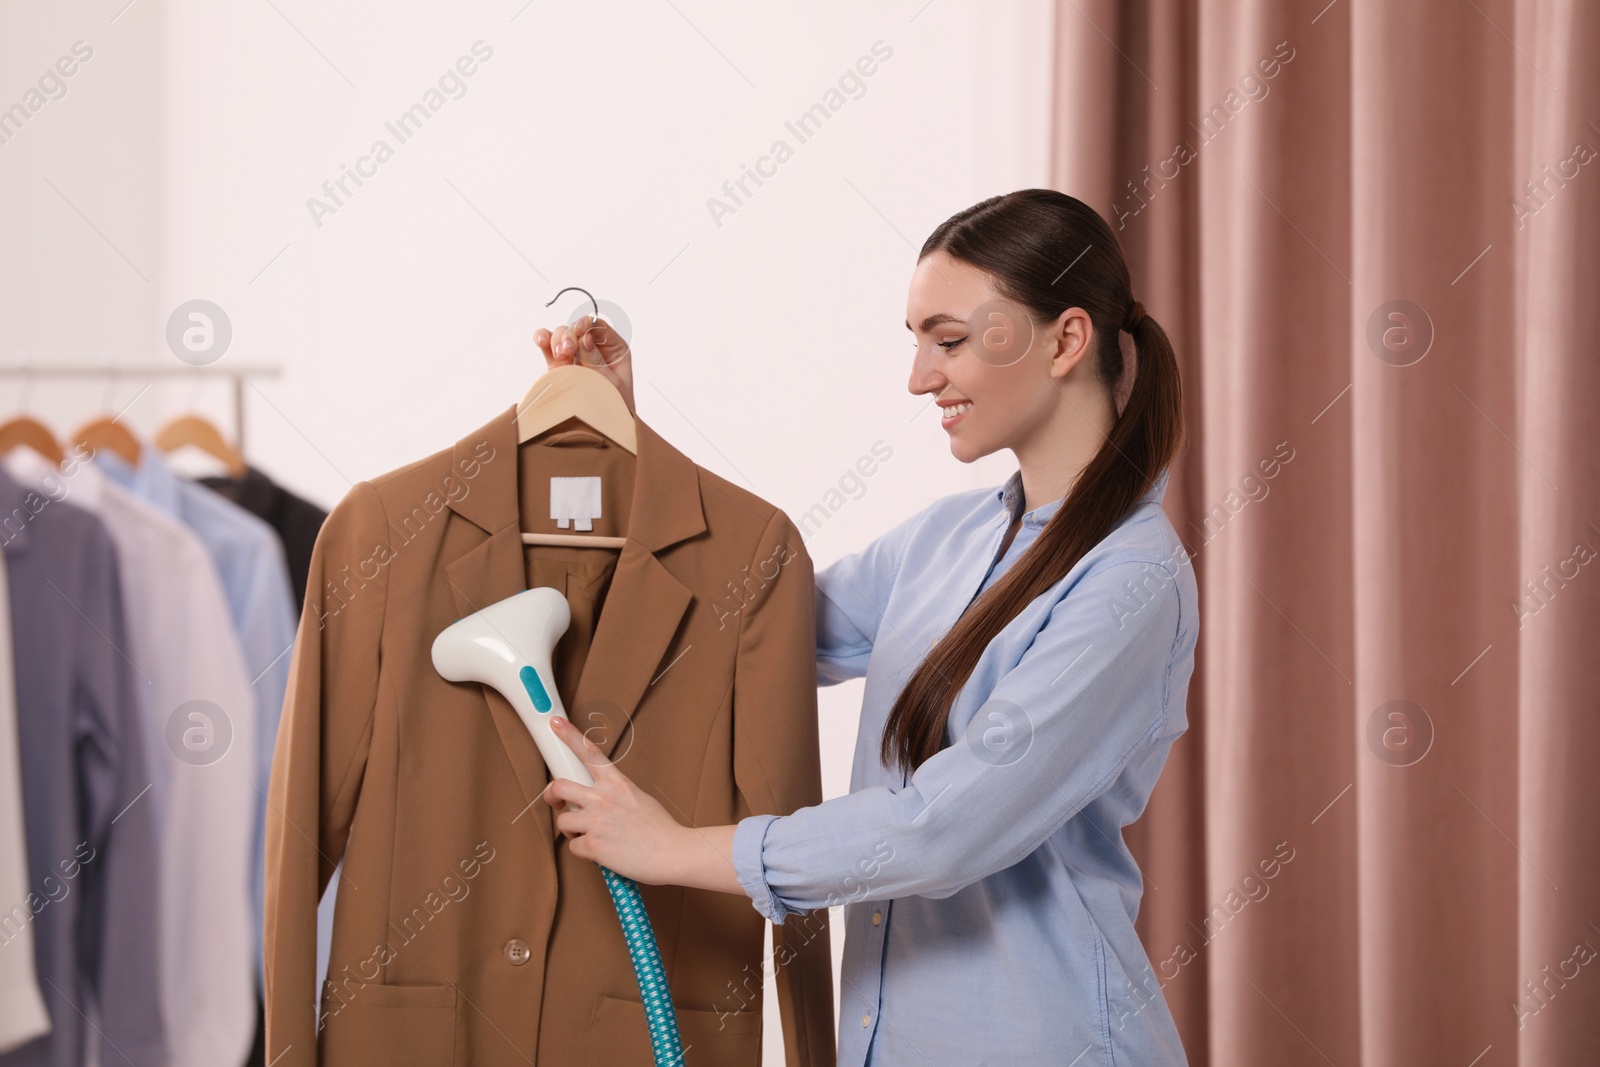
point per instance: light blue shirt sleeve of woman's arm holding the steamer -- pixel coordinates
(1086, 700)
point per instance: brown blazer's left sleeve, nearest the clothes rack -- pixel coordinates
(321, 757)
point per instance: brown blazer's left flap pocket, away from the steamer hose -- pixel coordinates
(409, 1026)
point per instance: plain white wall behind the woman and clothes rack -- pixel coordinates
(583, 153)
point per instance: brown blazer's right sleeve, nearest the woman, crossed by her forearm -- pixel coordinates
(778, 769)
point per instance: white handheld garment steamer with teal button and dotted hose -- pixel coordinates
(508, 645)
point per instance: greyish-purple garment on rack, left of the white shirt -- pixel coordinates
(92, 837)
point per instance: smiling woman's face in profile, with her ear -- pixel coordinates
(994, 375)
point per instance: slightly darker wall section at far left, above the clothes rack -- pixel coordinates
(81, 183)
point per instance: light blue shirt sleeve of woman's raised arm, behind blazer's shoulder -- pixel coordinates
(850, 599)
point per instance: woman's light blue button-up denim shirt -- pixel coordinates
(990, 898)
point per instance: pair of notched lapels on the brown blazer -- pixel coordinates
(642, 610)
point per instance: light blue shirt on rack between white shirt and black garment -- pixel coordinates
(255, 577)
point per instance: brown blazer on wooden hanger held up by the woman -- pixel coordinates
(466, 932)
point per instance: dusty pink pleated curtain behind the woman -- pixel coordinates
(1374, 233)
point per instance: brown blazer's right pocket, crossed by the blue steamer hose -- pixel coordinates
(620, 1037)
